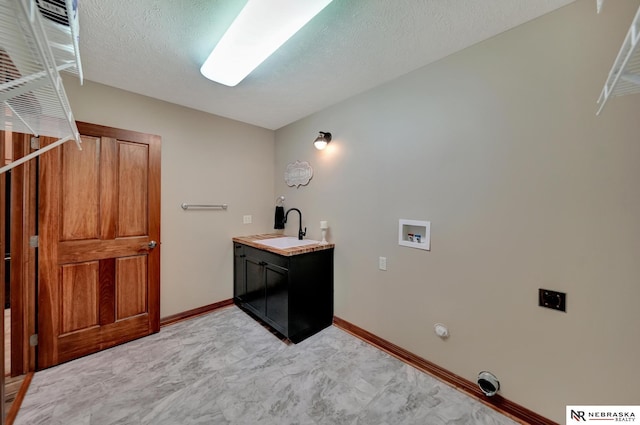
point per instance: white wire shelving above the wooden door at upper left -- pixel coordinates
(33, 51)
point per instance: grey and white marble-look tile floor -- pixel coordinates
(225, 368)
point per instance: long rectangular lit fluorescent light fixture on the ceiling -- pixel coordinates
(259, 30)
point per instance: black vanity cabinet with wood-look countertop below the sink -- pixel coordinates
(290, 289)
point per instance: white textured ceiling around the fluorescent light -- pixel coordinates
(156, 48)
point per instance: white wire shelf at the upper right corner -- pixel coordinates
(624, 76)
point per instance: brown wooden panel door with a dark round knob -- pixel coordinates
(99, 220)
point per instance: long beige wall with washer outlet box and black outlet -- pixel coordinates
(499, 147)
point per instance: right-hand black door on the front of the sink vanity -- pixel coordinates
(277, 310)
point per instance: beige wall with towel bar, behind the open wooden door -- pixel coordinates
(205, 159)
